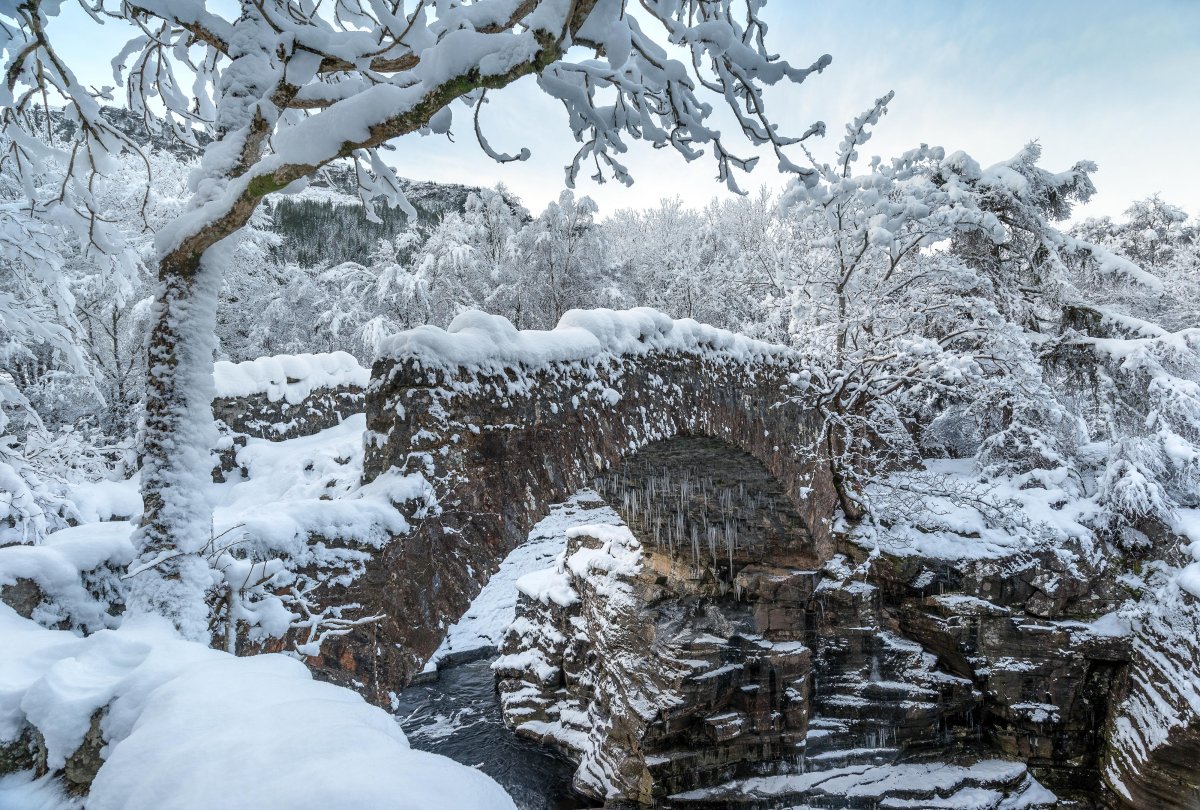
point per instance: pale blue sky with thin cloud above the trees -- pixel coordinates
(1117, 82)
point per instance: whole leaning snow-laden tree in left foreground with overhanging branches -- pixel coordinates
(279, 89)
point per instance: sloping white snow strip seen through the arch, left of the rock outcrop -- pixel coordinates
(493, 611)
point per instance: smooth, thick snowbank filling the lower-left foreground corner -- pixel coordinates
(189, 727)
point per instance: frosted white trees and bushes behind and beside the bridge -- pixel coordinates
(944, 310)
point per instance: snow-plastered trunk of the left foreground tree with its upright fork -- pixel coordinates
(175, 572)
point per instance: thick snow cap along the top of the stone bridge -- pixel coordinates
(477, 340)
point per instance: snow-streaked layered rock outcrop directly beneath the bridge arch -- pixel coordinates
(692, 703)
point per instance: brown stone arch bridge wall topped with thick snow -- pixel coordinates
(505, 423)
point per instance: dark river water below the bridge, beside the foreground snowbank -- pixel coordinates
(459, 716)
